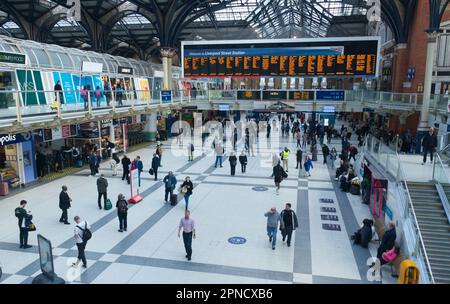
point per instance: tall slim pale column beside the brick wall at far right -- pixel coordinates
(431, 52)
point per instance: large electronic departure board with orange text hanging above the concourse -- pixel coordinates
(328, 57)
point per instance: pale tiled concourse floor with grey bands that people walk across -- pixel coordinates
(223, 206)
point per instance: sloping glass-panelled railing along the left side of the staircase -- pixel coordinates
(390, 162)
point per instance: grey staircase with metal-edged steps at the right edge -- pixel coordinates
(434, 227)
